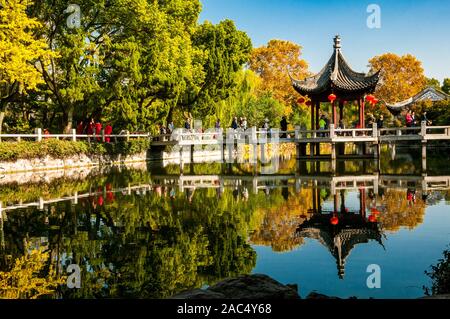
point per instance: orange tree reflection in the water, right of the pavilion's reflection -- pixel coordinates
(400, 212)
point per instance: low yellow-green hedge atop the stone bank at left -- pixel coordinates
(12, 151)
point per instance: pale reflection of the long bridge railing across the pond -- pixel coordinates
(336, 185)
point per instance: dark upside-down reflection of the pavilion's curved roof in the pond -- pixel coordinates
(340, 239)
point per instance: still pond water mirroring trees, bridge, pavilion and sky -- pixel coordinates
(155, 231)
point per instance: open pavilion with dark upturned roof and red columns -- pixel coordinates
(336, 83)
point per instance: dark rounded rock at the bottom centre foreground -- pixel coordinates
(243, 287)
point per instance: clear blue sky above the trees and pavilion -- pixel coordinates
(421, 28)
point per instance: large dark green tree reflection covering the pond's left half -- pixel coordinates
(142, 245)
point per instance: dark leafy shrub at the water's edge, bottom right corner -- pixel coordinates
(440, 276)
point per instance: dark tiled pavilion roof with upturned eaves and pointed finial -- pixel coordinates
(337, 76)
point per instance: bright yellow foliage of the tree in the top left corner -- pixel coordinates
(20, 50)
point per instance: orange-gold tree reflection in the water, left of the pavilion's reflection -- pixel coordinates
(280, 221)
